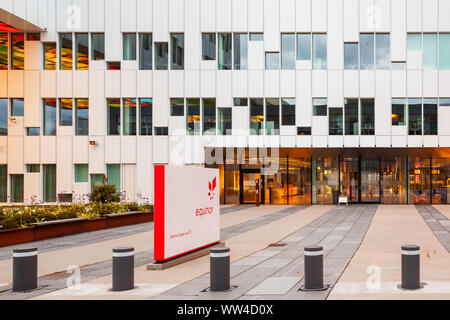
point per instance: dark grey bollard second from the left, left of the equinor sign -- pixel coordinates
(123, 269)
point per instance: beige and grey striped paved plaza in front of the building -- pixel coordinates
(361, 256)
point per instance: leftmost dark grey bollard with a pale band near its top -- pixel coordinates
(24, 269)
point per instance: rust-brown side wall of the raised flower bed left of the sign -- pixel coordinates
(60, 228)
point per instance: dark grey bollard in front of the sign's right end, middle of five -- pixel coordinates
(220, 269)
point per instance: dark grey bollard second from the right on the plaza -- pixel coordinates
(314, 268)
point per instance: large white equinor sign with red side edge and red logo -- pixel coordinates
(187, 210)
